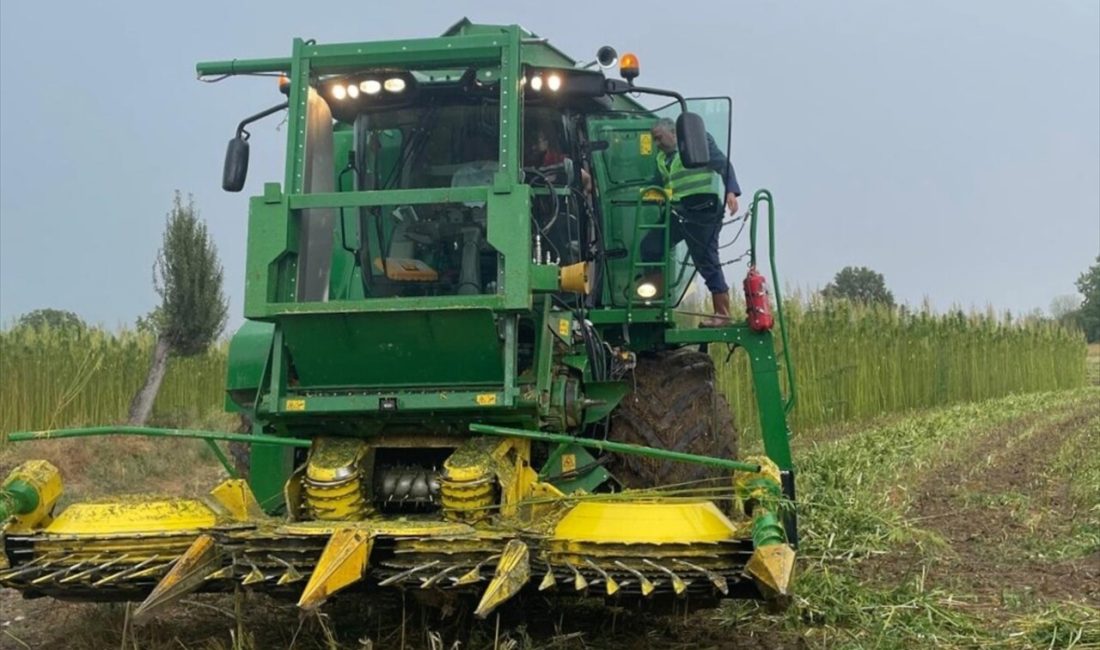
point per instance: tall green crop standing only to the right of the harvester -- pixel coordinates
(854, 361)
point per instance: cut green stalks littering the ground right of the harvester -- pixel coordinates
(866, 554)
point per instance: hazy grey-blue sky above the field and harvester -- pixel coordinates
(952, 146)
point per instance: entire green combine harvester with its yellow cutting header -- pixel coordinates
(463, 379)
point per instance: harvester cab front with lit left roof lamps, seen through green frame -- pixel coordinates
(402, 130)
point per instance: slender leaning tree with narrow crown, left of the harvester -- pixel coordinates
(188, 277)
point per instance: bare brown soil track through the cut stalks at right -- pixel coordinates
(982, 538)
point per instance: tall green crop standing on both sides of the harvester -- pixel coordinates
(851, 362)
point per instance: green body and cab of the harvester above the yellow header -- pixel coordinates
(485, 336)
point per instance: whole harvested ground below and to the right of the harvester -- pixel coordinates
(991, 537)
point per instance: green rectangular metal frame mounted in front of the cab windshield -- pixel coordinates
(274, 216)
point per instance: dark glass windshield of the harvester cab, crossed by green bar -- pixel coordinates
(434, 249)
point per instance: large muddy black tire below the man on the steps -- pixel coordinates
(675, 406)
